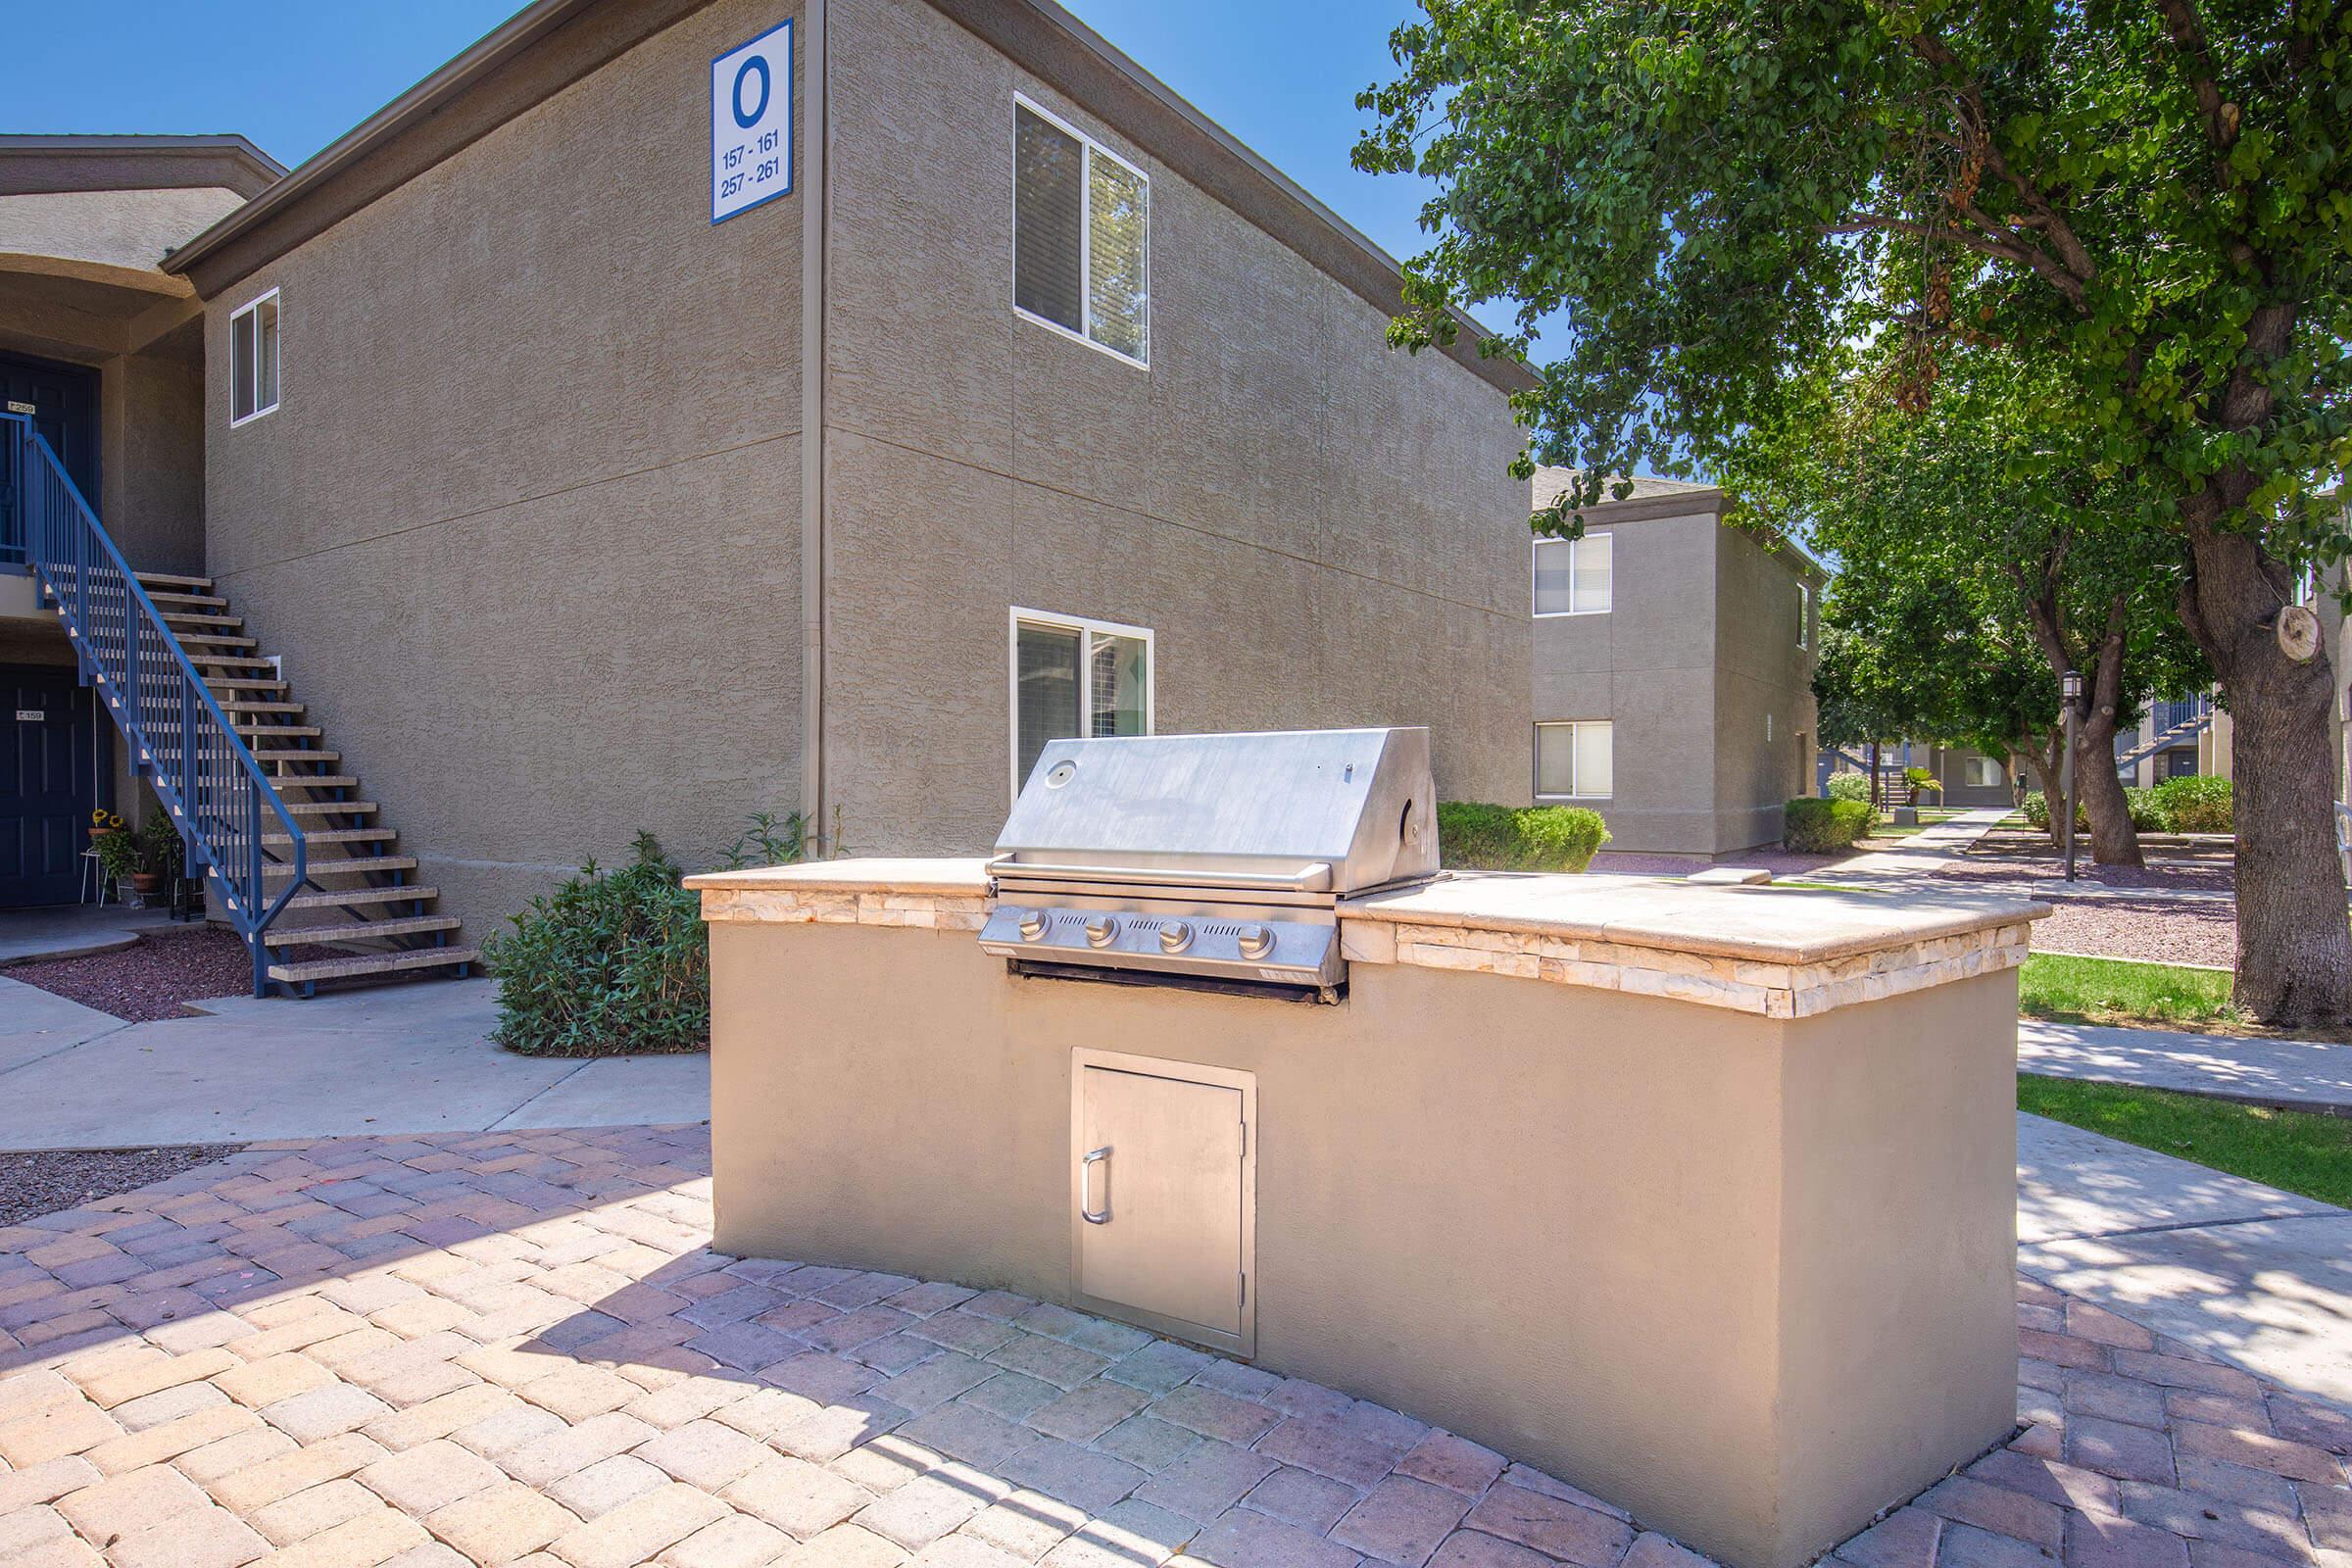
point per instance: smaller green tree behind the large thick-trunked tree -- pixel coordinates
(1989, 537)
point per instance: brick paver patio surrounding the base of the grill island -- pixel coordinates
(519, 1351)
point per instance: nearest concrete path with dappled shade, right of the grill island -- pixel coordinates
(2238, 1271)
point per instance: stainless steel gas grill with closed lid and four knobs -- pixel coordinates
(1210, 862)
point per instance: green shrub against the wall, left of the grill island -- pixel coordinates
(606, 965)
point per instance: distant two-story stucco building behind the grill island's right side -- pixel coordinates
(1673, 671)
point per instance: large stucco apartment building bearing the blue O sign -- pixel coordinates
(584, 481)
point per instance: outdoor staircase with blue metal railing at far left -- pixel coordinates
(213, 725)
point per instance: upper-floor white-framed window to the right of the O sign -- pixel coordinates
(1083, 236)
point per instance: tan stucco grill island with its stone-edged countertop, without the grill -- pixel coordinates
(1728, 1172)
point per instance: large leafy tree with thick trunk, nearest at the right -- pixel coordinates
(2146, 206)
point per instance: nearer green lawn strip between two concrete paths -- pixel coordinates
(2278, 1148)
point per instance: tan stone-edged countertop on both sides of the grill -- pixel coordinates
(1775, 951)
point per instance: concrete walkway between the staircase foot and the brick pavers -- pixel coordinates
(403, 1057)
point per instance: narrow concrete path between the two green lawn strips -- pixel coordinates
(2290, 1073)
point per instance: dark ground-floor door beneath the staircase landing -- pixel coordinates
(51, 782)
